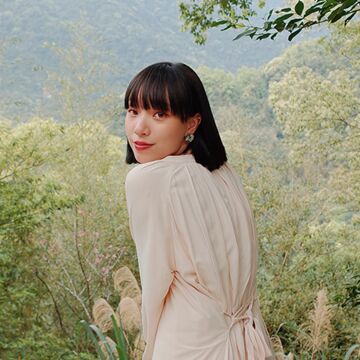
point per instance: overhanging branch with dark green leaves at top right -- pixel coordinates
(200, 16)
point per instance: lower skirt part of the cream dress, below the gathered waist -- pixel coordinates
(193, 325)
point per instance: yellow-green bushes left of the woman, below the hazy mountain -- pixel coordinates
(40, 188)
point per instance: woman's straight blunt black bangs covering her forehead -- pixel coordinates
(161, 87)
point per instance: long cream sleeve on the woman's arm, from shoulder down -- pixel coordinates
(147, 193)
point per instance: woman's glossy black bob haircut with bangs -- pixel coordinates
(176, 88)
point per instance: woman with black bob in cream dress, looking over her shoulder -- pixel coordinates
(192, 225)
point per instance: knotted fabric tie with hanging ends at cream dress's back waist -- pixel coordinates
(254, 340)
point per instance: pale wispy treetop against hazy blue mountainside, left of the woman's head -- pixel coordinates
(78, 89)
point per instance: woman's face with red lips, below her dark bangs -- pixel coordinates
(154, 134)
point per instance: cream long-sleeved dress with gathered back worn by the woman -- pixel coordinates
(196, 244)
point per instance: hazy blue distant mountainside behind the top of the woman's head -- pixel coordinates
(74, 66)
